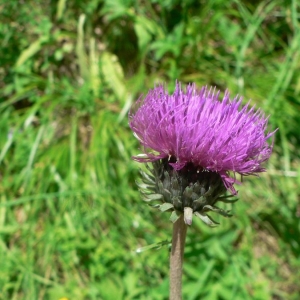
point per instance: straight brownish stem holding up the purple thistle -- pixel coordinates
(176, 258)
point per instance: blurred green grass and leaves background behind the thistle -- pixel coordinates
(71, 217)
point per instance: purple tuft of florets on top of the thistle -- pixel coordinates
(195, 127)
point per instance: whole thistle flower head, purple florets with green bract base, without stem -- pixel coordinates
(196, 144)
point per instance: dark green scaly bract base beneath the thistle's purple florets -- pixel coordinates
(191, 191)
